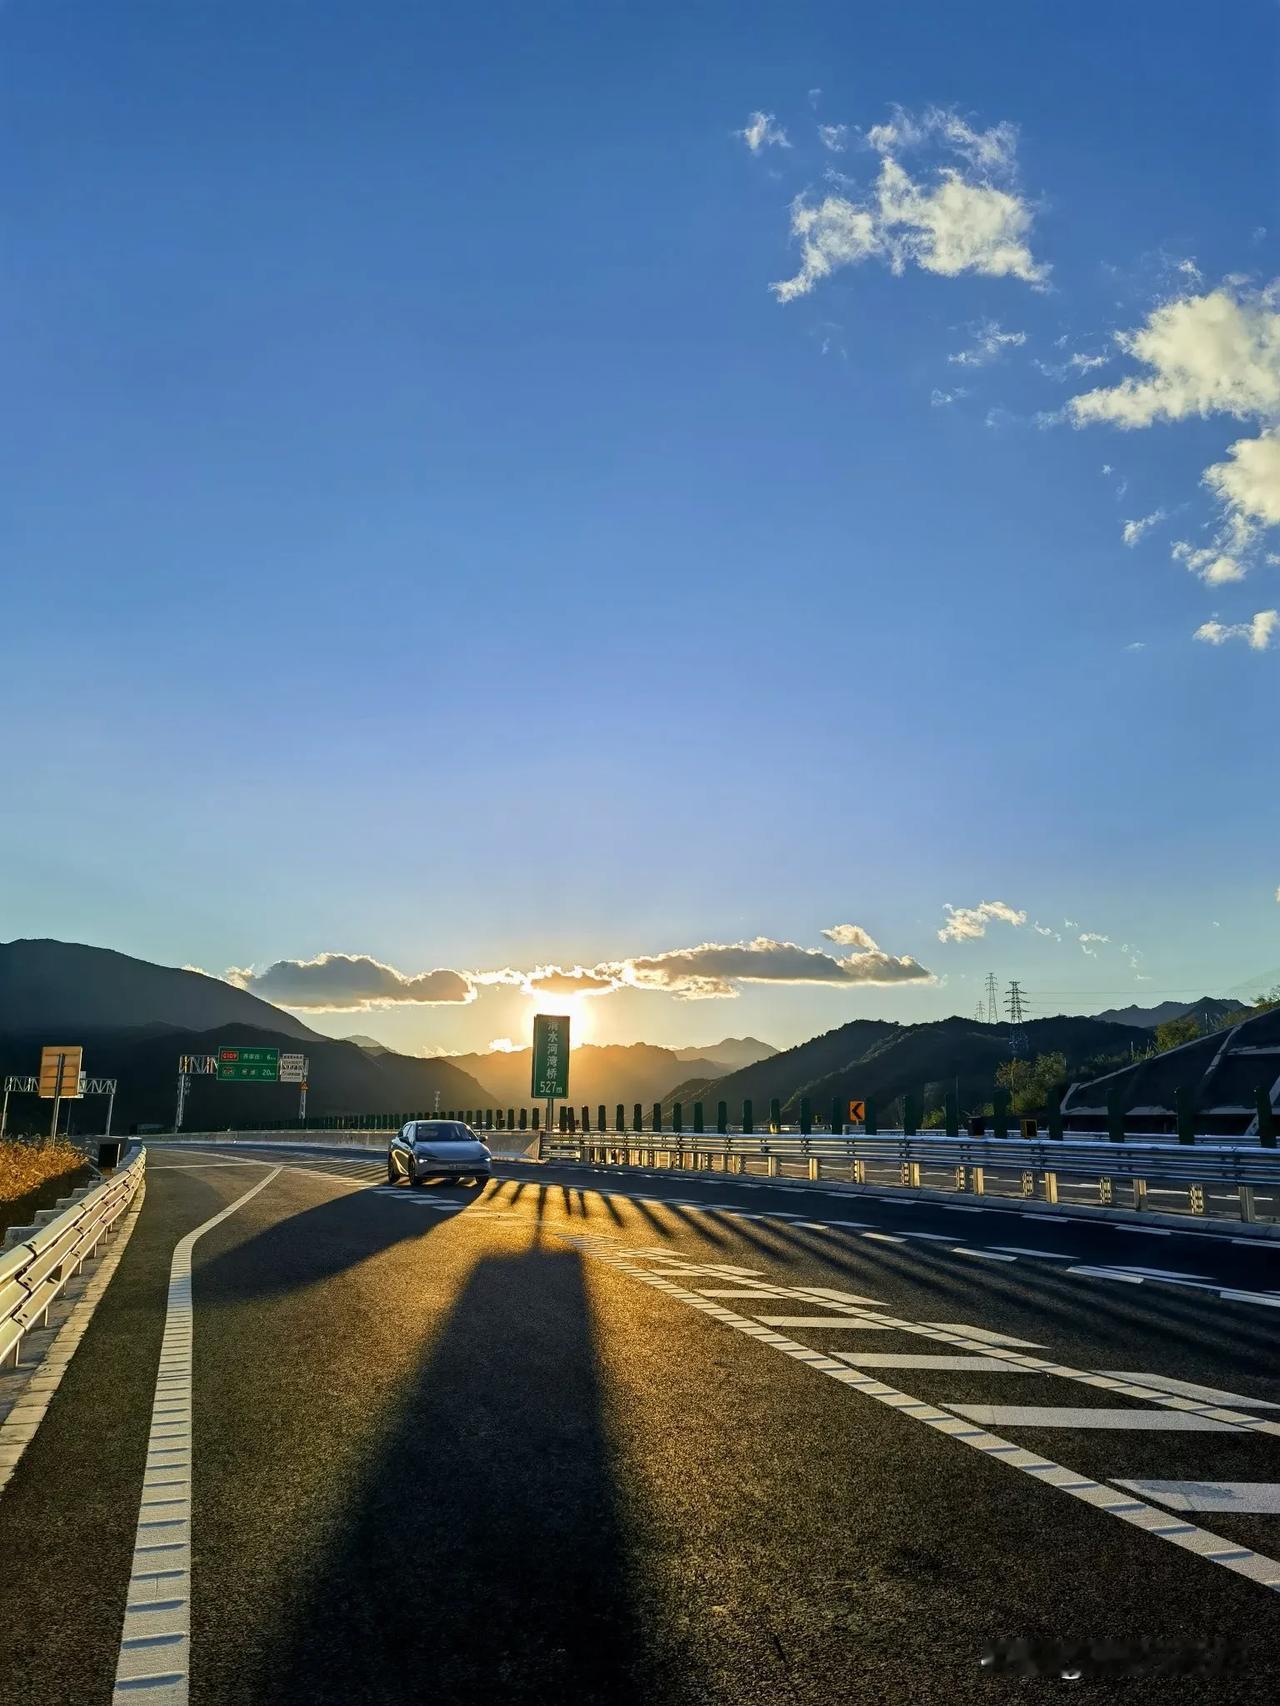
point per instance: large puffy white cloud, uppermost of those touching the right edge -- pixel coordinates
(1216, 354)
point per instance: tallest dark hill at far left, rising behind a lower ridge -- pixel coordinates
(62, 989)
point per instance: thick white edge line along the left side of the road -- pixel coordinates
(156, 1644)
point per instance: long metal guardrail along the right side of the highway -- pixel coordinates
(1071, 1173)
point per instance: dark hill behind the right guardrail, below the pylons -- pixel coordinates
(883, 1060)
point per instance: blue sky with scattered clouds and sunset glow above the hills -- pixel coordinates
(431, 540)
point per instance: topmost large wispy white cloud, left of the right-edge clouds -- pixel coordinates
(957, 223)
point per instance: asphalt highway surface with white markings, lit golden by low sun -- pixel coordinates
(615, 1437)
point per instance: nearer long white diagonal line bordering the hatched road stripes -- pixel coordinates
(1257, 1567)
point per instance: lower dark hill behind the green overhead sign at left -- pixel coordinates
(346, 1079)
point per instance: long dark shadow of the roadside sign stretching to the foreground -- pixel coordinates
(480, 1553)
